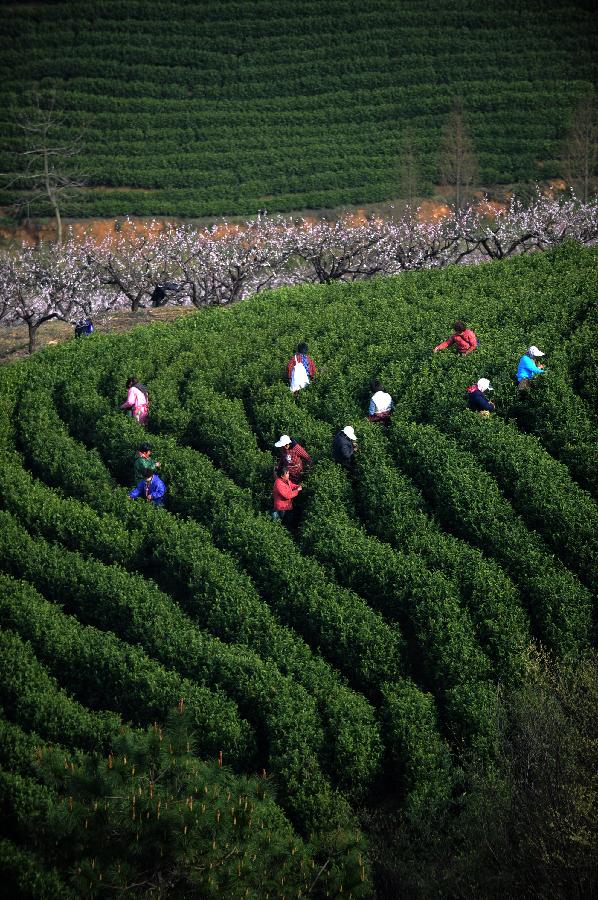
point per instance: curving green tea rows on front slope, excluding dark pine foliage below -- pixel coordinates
(358, 658)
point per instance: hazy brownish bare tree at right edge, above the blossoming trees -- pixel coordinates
(581, 146)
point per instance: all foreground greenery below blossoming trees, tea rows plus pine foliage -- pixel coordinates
(324, 701)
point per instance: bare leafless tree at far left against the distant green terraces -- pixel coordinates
(49, 161)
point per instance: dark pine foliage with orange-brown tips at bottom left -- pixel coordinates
(195, 827)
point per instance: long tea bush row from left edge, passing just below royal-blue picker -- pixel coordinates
(214, 593)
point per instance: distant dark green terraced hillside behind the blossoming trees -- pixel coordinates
(210, 108)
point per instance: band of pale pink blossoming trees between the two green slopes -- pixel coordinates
(210, 267)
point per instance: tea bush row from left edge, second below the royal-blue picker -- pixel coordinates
(109, 597)
